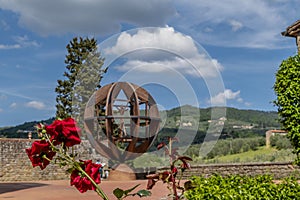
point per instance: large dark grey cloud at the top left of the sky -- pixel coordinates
(88, 17)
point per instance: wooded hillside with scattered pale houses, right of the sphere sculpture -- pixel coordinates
(232, 117)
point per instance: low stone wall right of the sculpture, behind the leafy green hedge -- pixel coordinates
(277, 170)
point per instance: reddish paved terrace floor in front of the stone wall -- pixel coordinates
(61, 190)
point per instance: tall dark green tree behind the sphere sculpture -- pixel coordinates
(83, 76)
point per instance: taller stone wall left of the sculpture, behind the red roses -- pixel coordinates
(16, 166)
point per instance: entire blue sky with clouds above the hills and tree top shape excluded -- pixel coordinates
(236, 45)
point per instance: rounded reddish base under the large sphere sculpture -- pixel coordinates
(121, 173)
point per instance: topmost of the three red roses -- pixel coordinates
(64, 131)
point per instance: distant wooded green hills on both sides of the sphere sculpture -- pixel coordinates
(237, 123)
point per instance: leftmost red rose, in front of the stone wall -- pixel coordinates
(36, 154)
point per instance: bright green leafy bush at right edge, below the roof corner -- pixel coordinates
(287, 89)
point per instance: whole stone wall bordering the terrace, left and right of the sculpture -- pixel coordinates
(15, 165)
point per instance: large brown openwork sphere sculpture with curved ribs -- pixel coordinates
(121, 120)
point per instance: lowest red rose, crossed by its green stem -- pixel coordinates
(81, 182)
